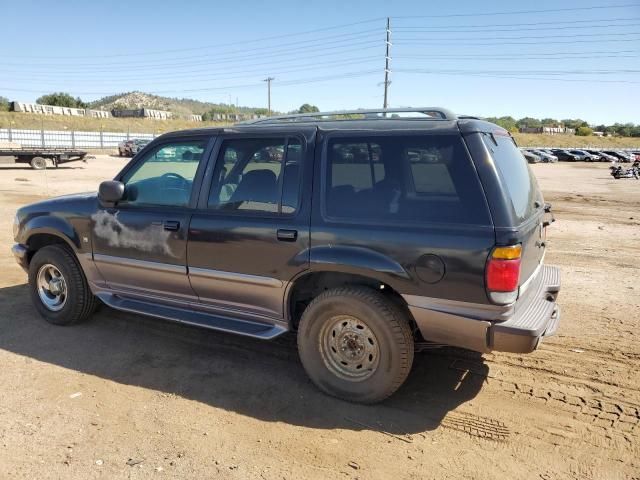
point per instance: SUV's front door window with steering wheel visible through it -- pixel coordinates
(165, 175)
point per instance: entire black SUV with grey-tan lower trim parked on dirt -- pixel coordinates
(365, 232)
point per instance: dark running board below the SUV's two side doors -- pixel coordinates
(200, 319)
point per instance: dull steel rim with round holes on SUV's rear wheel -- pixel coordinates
(349, 348)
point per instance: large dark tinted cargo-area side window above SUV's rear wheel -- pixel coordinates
(406, 179)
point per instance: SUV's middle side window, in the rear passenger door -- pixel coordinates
(257, 175)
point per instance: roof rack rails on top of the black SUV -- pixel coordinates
(432, 113)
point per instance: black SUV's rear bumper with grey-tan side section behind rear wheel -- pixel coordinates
(486, 328)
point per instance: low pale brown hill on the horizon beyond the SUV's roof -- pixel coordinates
(179, 106)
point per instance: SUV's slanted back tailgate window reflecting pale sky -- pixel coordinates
(515, 172)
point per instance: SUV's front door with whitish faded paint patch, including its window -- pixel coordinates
(139, 245)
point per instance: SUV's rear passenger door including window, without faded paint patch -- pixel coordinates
(250, 235)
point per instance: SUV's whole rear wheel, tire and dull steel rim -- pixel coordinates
(355, 344)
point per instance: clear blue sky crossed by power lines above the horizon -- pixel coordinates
(549, 58)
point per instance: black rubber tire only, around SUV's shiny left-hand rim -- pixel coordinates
(80, 302)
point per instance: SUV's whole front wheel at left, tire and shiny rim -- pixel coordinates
(58, 287)
